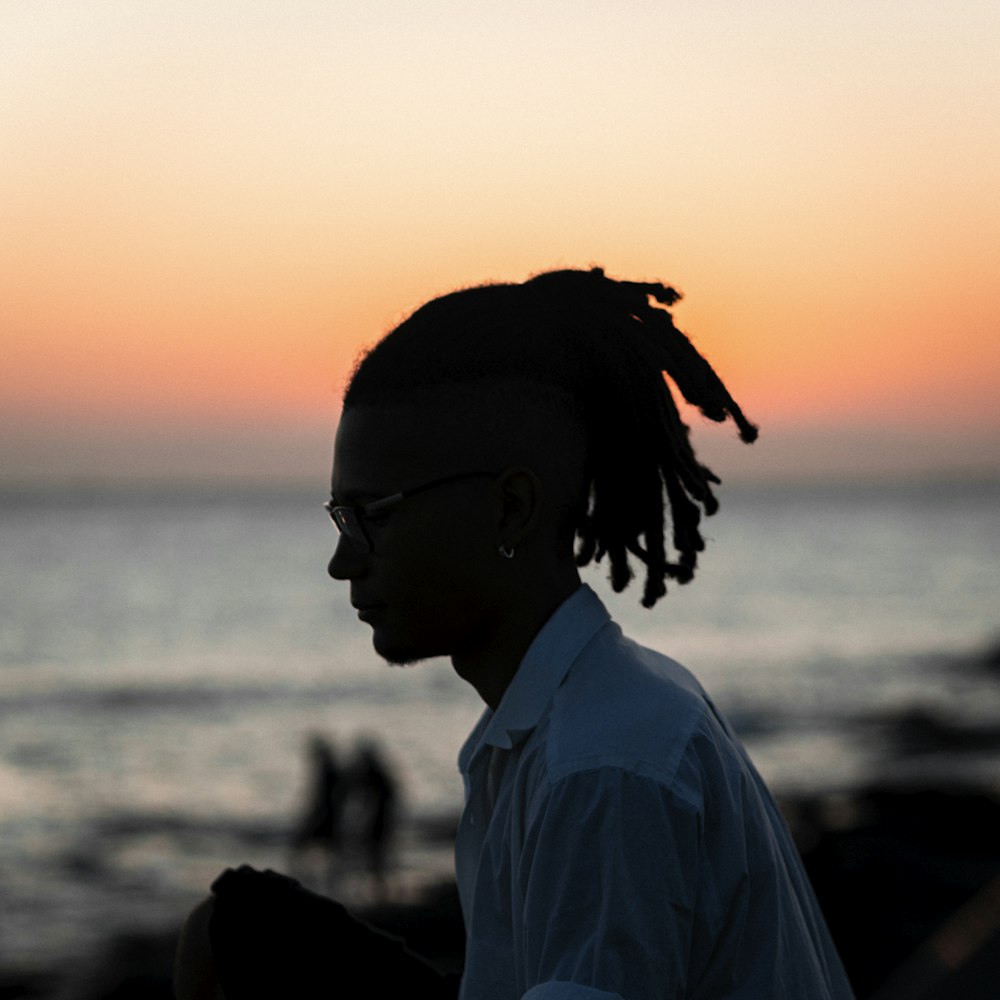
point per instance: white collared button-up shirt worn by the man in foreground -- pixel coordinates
(617, 842)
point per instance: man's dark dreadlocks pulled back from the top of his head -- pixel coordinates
(610, 347)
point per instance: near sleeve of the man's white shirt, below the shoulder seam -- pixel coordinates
(607, 880)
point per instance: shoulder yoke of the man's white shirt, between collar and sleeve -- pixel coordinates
(624, 706)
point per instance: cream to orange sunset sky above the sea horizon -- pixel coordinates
(208, 209)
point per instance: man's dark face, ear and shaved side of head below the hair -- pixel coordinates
(454, 520)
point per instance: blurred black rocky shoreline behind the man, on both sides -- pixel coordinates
(907, 871)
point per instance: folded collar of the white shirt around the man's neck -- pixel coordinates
(542, 669)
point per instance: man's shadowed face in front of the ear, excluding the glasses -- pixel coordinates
(426, 586)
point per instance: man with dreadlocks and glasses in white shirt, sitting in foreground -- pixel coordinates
(616, 840)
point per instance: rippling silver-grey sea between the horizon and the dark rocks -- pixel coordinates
(165, 656)
